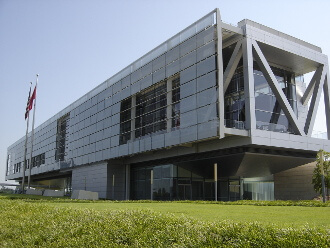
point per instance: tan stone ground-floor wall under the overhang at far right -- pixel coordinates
(295, 183)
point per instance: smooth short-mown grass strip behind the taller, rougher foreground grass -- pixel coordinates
(279, 215)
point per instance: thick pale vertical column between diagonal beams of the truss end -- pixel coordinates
(250, 115)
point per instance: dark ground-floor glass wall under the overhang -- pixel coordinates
(181, 181)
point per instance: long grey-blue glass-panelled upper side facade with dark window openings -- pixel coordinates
(137, 109)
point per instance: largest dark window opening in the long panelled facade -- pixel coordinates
(146, 112)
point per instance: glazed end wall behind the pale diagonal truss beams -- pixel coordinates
(269, 115)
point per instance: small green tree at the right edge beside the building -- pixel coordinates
(317, 174)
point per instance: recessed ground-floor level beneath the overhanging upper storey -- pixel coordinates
(193, 178)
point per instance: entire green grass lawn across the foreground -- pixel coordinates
(34, 221)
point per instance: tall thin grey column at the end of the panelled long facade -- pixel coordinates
(220, 77)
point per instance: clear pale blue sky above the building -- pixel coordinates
(76, 45)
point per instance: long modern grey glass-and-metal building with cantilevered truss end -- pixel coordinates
(213, 113)
